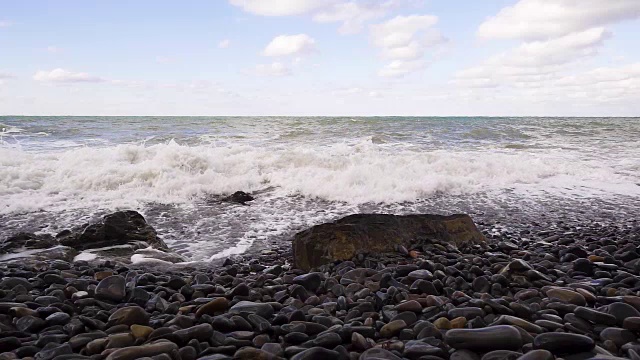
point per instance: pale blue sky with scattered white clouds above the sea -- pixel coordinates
(320, 57)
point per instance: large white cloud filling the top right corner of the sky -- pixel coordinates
(543, 19)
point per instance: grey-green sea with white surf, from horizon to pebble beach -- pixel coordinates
(60, 172)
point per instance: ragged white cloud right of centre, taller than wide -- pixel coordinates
(404, 40)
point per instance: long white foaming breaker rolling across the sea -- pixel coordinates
(126, 175)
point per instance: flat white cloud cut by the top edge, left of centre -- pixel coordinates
(281, 7)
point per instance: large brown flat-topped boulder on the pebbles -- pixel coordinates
(377, 233)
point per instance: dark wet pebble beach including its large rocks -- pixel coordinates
(363, 287)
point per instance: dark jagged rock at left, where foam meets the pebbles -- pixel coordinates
(118, 228)
